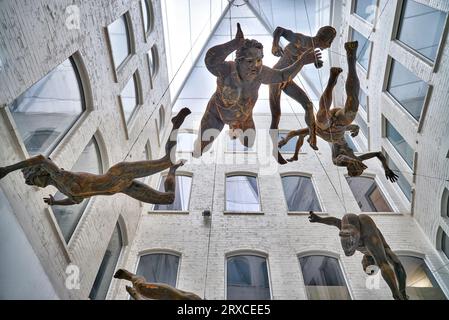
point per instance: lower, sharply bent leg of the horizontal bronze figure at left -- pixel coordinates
(144, 193)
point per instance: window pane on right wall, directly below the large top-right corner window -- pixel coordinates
(407, 89)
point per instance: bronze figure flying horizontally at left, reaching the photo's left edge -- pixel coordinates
(120, 178)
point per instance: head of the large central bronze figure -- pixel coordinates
(249, 59)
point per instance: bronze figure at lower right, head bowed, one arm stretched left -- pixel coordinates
(359, 232)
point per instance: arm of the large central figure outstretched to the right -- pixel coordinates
(269, 75)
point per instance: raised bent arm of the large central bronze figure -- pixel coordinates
(215, 56)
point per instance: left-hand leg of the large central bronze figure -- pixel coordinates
(210, 128)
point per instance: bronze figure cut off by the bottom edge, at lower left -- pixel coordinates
(142, 290)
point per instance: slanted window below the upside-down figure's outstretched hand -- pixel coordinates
(368, 195)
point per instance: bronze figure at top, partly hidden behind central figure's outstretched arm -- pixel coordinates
(298, 44)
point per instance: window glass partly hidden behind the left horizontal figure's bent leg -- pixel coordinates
(182, 194)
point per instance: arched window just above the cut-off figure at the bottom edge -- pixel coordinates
(159, 268)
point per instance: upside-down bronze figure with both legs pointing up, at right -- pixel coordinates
(331, 124)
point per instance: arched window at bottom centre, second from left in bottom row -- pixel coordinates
(247, 278)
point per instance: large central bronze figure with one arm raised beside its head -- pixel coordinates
(238, 84)
